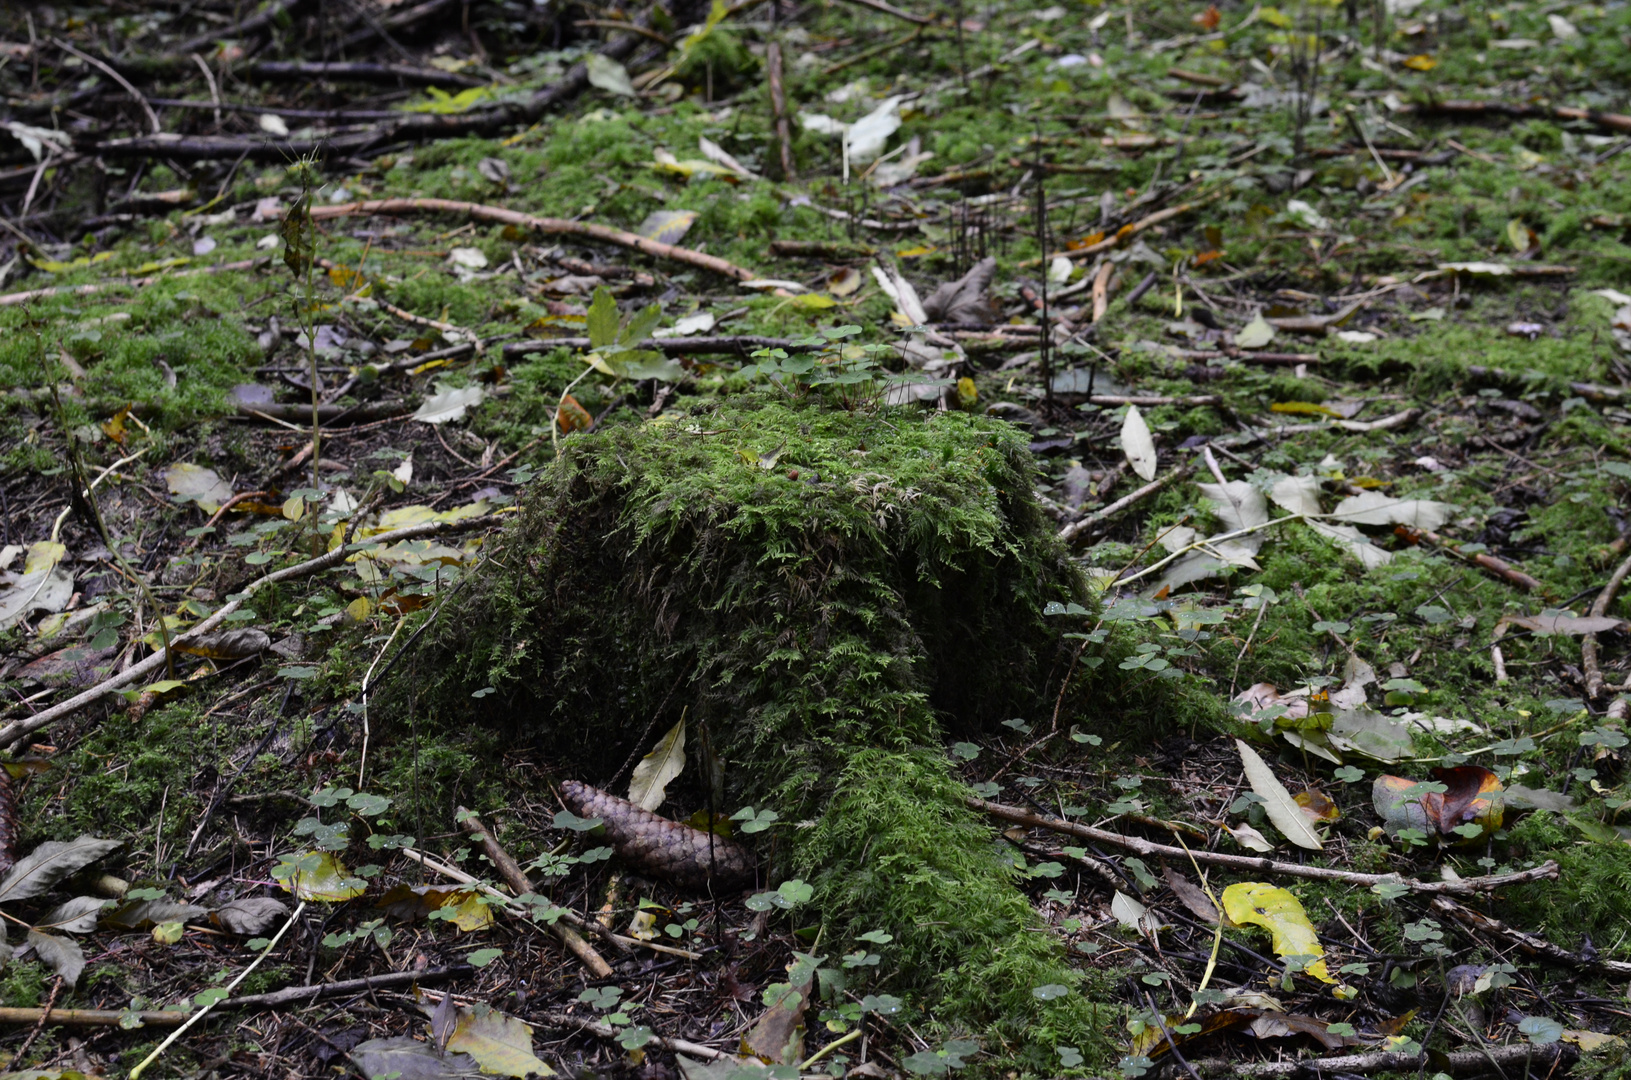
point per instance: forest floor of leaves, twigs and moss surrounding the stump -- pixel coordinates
(1348, 286)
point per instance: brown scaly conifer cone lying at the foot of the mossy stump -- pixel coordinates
(687, 857)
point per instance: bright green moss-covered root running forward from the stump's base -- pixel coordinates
(896, 849)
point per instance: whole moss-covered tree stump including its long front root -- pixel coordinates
(836, 596)
